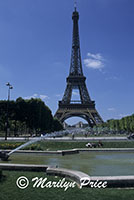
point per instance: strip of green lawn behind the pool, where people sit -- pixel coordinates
(57, 145)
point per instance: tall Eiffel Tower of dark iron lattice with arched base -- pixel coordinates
(85, 107)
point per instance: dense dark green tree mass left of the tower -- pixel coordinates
(31, 115)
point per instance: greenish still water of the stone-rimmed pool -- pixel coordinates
(92, 163)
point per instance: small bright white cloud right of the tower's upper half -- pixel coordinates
(94, 61)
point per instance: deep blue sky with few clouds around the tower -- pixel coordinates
(35, 51)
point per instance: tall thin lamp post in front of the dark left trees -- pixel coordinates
(7, 124)
